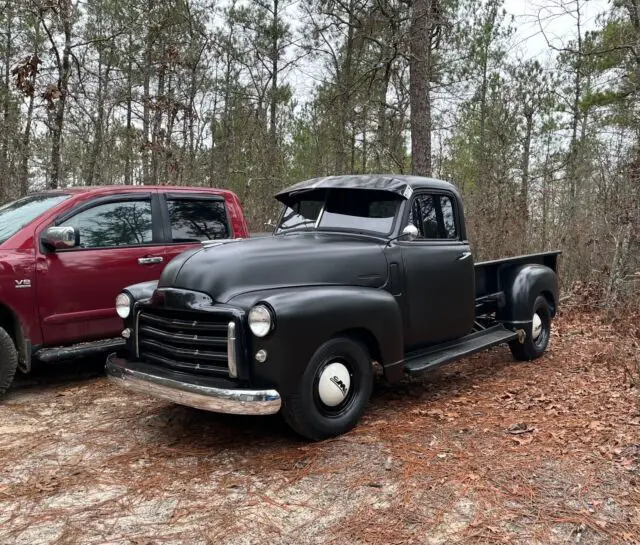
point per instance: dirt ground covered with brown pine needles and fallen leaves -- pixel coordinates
(483, 451)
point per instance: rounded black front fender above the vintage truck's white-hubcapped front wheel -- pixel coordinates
(305, 318)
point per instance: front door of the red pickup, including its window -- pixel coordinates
(121, 243)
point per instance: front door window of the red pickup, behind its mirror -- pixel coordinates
(126, 223)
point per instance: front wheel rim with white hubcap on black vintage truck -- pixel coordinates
(334, 388)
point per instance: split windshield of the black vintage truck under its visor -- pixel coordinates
(342, 209)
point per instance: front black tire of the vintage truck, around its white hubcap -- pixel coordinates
(304, 411)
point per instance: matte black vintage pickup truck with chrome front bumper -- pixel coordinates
(360, 269)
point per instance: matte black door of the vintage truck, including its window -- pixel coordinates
(438, 274)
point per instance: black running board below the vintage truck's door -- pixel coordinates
(424, 360)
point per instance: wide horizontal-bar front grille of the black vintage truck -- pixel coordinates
(195, 342)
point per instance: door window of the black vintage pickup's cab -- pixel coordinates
(434, 217)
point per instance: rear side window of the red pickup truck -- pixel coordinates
(197, 220)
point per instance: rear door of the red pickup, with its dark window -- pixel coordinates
(193, 217)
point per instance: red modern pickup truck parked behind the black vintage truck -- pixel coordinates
(65, 256)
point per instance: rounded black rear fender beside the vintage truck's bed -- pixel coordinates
(522, 285)
